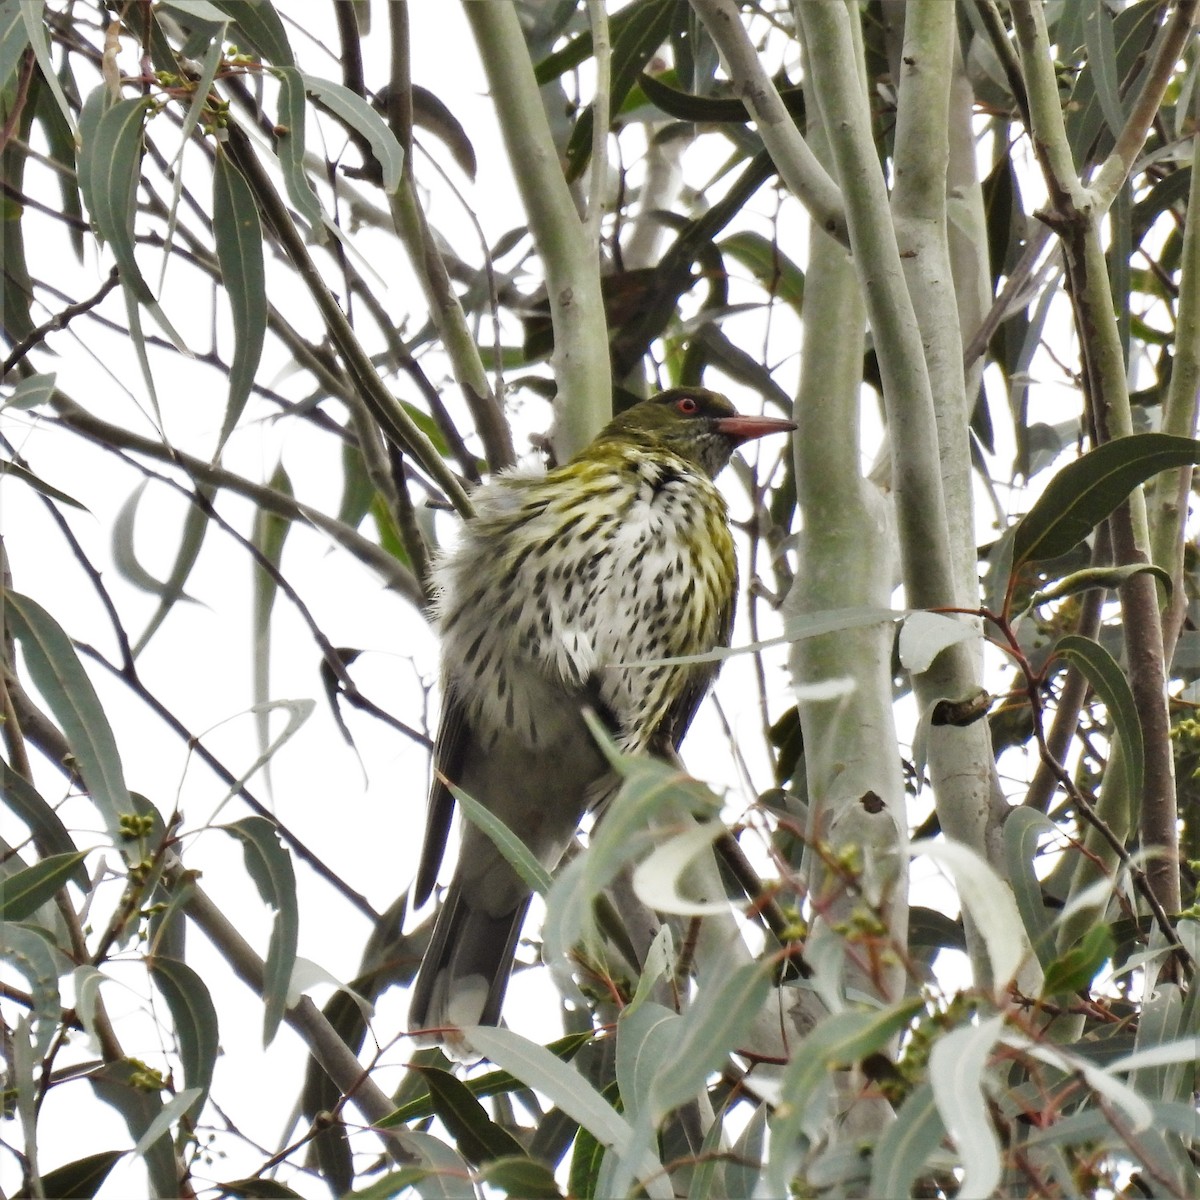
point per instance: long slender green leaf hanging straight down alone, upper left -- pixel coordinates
(238, 235)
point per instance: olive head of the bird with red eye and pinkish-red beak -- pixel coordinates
(699, 425)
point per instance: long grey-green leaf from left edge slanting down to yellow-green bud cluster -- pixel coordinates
(56, 670)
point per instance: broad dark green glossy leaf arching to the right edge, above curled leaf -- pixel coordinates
(1091, 488)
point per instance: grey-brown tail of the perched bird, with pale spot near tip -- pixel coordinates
(466, 969)
